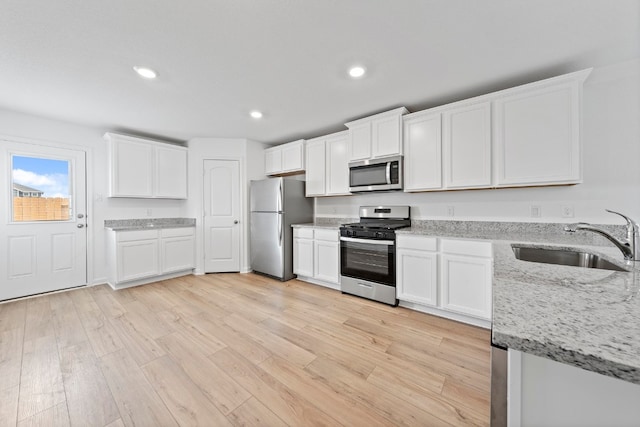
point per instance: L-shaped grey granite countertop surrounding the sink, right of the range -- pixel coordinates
(584, 317)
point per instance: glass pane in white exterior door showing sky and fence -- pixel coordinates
(40, 189)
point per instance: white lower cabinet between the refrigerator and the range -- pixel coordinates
(316, 255)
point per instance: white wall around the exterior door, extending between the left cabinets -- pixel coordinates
(22, 128)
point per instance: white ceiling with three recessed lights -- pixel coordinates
(219, 59)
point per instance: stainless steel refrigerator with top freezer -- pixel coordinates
(276, 203)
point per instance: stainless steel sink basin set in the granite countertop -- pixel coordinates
(564, 257)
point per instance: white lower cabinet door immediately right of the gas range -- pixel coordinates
(417, 276)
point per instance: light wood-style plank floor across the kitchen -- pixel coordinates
(232, 349)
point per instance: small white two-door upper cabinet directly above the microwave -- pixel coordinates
(376, 136)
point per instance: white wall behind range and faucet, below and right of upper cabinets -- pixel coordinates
(611, 154)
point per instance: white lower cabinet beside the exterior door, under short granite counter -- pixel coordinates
(143, 256)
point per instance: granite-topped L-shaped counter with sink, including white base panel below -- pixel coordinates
(572, 333)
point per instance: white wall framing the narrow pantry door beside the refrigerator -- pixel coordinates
(251, 158)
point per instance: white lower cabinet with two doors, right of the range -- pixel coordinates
(450, 276)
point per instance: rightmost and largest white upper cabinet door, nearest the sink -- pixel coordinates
(538, 136)
